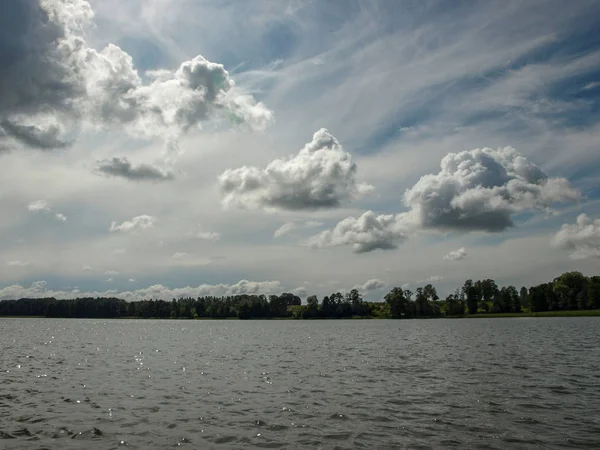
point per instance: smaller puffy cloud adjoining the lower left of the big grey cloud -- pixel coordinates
(367, 233)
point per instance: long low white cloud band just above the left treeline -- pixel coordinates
(39, 289)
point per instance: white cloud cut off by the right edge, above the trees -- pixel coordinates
(582, 238)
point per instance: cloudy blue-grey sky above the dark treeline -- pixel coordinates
(168, 148)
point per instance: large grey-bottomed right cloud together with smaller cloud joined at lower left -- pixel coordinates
(476, 190)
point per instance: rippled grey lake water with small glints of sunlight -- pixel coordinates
(473, 383)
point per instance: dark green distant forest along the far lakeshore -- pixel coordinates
(571, 291)
